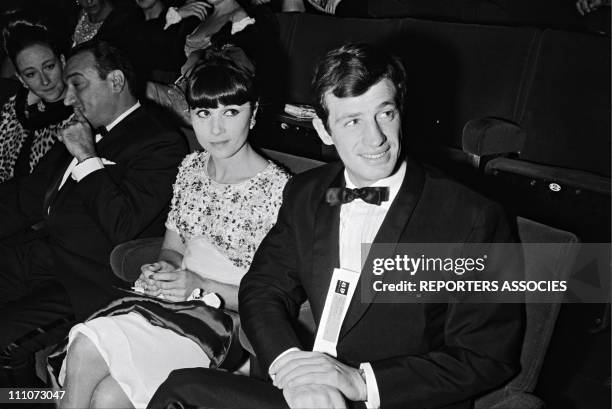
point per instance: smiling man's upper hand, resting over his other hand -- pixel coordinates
(305, 368)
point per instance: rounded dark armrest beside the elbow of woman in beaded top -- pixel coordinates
(126, 258)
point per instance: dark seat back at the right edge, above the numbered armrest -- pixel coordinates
(567, 108)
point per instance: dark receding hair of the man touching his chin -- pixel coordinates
(108, 58)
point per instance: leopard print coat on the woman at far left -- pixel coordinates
(13, 136)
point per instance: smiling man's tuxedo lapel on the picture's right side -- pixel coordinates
(390, 231)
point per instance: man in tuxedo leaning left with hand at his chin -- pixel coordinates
(109, 181)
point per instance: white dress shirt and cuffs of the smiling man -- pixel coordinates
(359, 223)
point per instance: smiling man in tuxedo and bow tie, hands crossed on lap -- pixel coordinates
(388, 355)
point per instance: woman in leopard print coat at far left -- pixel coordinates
(30, 121)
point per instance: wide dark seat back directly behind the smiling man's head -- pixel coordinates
(456, 72)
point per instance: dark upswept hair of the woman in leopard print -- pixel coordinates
(23, 30)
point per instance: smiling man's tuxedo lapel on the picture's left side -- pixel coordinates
(325, 246)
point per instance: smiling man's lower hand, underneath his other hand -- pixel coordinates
(314, 396)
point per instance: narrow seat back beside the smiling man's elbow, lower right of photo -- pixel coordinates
(558, 262)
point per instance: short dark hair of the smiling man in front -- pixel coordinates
(351, 70)
